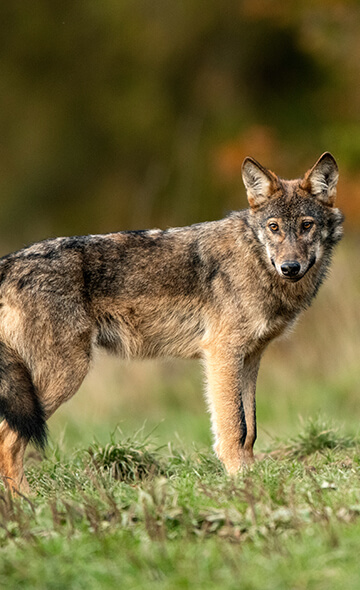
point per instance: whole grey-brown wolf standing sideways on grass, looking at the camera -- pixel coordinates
(217, 291)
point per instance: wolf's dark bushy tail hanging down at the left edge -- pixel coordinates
(19, 402)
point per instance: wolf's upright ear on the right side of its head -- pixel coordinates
(321, 179)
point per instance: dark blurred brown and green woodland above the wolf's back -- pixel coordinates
(138, 113)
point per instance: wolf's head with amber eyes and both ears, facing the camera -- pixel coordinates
(295, 220)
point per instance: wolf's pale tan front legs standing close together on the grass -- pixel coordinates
(231, 396)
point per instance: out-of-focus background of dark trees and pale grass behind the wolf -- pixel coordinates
(138, 113)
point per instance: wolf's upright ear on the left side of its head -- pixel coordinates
(259, 182)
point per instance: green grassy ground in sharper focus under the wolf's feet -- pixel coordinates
(130, 514)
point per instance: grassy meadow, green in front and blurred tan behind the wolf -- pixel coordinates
(129, 493)
